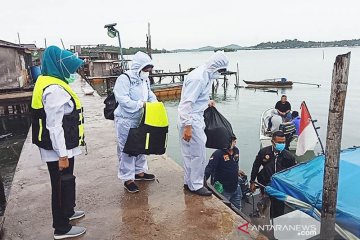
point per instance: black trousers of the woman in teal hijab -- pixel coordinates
(60, 213)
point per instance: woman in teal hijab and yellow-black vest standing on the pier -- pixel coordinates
(58, 132)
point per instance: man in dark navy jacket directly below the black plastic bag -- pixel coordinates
(223, 167)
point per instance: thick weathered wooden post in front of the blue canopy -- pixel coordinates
(333, 145)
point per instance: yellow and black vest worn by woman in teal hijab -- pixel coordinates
(73, 124)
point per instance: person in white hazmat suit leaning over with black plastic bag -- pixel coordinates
(194, 100)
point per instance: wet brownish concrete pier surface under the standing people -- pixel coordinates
(161, 210)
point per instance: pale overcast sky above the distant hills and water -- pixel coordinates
(179, 24)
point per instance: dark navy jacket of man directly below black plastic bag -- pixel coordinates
(224, 168)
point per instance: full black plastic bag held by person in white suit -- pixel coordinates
(218, 130)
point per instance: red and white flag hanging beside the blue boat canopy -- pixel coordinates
(307, 139)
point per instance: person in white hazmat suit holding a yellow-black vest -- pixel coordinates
(132, 94)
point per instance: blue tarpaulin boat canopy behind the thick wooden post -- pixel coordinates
(301, 186)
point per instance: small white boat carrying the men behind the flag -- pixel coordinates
(265, 136)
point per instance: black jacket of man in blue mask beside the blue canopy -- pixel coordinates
(266, 158)
